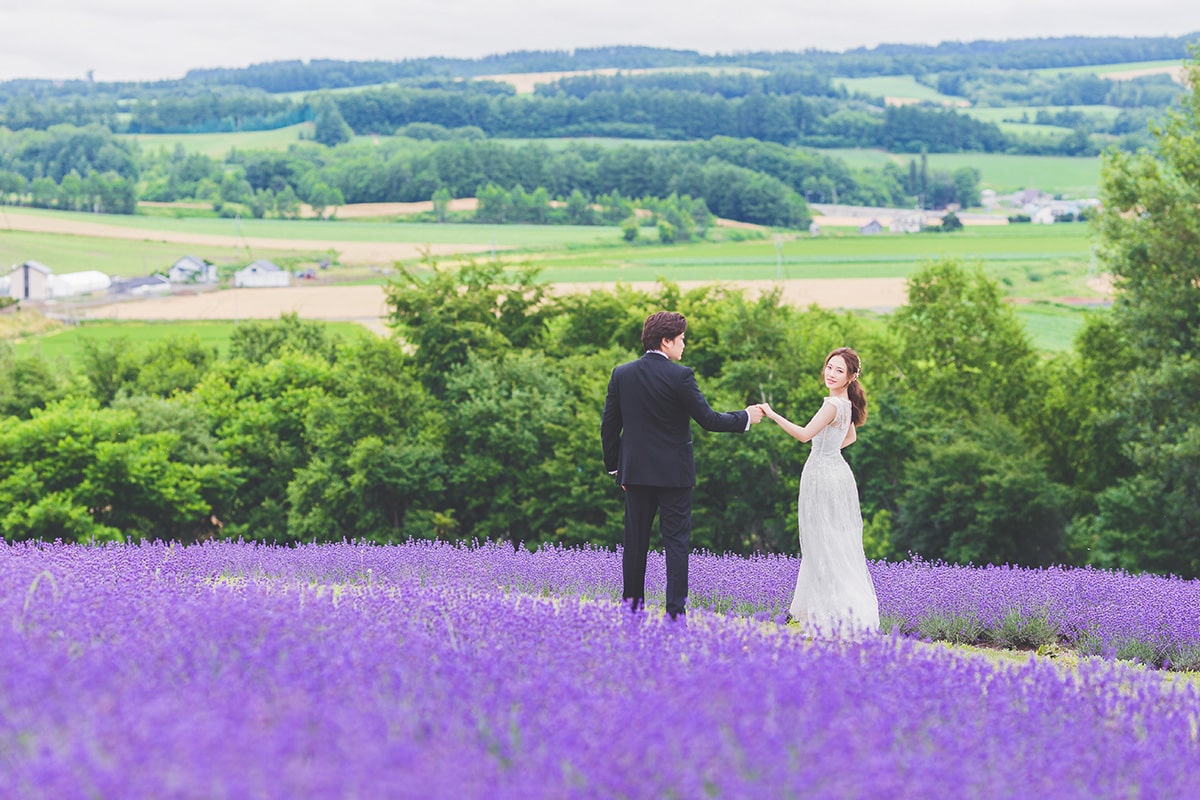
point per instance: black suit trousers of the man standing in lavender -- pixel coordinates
(674, 507)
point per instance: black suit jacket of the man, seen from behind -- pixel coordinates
(646, 430)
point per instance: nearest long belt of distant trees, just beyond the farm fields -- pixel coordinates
(748, 181)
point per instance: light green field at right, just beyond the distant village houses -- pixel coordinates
(1067, 176)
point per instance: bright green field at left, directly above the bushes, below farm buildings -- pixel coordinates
(67, 345)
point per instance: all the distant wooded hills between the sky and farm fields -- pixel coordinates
(736, 131)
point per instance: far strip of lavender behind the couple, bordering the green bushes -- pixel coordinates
(1149, 618)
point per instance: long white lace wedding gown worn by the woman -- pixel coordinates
(835, 596)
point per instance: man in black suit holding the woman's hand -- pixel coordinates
(646, 434)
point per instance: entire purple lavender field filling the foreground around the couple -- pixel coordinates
(433, 671)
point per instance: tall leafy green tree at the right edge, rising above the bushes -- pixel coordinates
(1150, 230)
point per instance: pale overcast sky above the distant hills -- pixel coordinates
(147, 40)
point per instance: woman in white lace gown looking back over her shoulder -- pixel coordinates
(835, 596)
